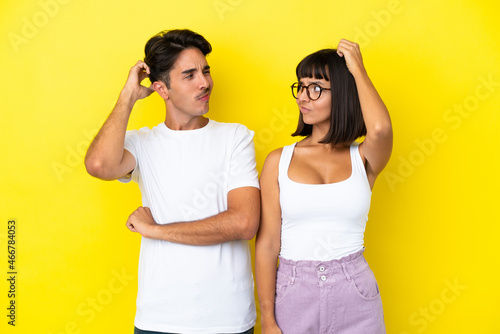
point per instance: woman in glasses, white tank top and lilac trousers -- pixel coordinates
(315, 201)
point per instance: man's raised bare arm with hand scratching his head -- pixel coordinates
(106, 157)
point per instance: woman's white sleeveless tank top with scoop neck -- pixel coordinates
(323, 222)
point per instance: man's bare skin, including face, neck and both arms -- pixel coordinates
(186, 101)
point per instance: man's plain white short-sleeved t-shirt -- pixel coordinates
(186, 176)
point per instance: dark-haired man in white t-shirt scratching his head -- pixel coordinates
(199, 191)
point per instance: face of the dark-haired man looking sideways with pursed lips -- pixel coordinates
(190, 84)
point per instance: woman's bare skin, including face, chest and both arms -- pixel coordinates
(317, 163)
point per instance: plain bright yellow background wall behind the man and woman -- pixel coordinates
(433, 222)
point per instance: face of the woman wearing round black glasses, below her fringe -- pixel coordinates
(315, 112)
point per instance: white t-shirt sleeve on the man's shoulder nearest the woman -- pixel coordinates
(242, 168)
